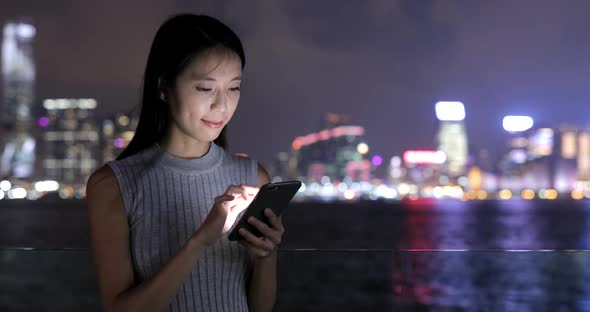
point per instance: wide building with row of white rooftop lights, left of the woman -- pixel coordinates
(71, 137)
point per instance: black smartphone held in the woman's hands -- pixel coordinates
(275, 196)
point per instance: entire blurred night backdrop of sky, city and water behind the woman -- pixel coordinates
(444, 146)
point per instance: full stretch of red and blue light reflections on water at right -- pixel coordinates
(492, 275)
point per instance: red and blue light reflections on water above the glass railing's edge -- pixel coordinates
(498, 225)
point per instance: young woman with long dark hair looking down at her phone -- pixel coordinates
(159, 213)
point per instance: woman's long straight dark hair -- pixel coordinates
(177, 42)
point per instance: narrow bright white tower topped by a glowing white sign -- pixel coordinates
(452, 137)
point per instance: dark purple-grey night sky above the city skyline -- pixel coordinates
(384, 62)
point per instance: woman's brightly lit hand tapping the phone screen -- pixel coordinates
(226, 208)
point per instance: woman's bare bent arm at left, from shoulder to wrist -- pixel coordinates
(109, 234)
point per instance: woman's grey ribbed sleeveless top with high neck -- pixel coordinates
(167, 198)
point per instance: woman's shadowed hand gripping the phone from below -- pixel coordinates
(272, 235)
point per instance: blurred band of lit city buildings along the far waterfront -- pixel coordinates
(334, 162)
